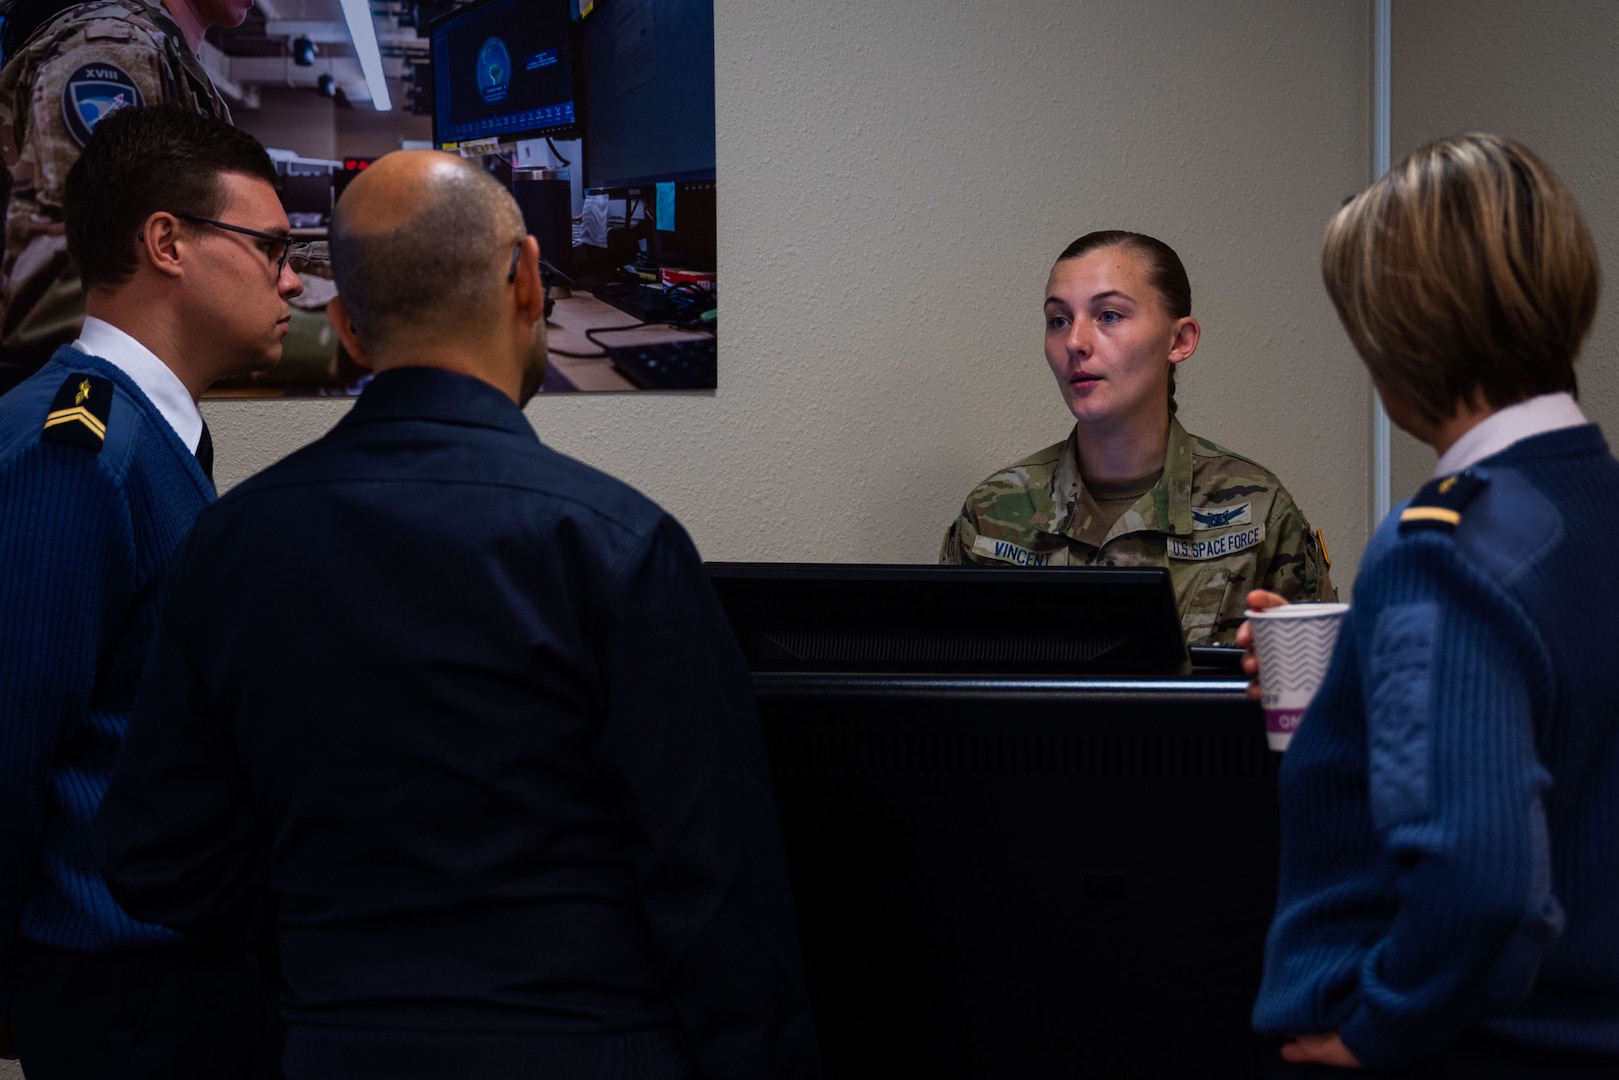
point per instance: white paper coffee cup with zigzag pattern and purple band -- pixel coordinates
(1294, 645)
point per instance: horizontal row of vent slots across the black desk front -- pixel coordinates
(1103, 755)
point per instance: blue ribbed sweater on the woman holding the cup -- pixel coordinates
(1451, 801)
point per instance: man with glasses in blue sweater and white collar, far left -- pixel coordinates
(104, 467)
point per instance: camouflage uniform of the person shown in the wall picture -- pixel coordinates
(90, 61)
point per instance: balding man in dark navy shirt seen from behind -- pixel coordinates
(461, 715)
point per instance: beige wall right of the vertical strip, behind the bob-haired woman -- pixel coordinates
(1542, 74)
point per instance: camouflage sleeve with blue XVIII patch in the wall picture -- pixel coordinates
(98, 69)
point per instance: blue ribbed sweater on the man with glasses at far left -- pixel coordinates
(85, 538)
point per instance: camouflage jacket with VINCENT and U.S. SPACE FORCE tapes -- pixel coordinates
(1222, 524)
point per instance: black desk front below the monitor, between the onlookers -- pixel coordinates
(1027, 878)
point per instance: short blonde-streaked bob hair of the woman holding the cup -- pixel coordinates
(1466, 271)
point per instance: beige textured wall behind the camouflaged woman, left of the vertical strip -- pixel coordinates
(896, 181)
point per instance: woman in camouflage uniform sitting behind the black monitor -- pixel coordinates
(1129, 487)
